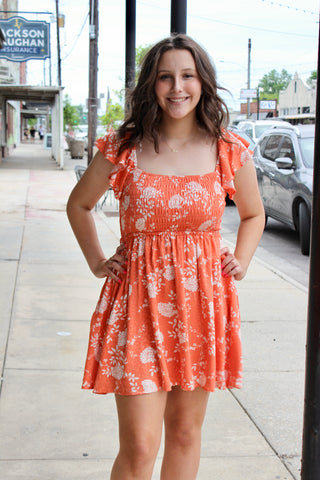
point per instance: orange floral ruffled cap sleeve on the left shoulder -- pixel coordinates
(123, 164)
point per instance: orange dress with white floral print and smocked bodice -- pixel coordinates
(174, 319)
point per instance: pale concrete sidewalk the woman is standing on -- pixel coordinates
(50, 428)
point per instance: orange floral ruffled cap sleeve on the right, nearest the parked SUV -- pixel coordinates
(232, 156)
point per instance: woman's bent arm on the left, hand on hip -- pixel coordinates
(87, 192)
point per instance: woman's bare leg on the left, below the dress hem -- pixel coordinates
(140, 428)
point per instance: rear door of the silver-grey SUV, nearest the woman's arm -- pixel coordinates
(268, 171)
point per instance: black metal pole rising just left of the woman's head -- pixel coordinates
(130, 46)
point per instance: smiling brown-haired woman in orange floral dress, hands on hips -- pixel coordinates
(166, 328)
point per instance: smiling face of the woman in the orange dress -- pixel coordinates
(178, 86)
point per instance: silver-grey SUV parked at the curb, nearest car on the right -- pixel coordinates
(284, 164)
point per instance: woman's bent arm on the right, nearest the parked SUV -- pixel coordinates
(252, 221)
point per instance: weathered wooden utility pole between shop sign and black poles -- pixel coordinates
(93, 75)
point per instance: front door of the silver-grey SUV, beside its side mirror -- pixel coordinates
(283, 179)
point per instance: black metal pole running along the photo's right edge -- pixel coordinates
(311, 428)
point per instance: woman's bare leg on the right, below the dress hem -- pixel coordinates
(184, 415)
